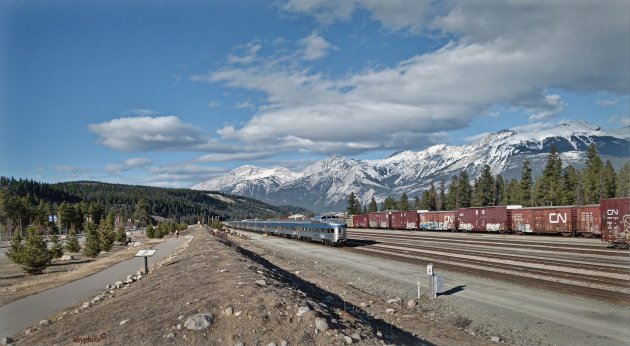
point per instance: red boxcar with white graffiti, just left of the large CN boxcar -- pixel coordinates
(484, 219)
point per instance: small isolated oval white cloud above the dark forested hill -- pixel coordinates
(163, 133)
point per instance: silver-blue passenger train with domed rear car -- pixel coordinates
(326, 229)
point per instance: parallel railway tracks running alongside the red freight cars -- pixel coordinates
(606, 280)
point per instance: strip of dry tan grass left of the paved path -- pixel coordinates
(26, 285)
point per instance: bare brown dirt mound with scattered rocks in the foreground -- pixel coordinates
(213, 274)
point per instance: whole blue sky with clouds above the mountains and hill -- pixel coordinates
(172, 93)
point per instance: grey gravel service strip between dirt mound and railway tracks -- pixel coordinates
(518, 314)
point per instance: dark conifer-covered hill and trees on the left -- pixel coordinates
(27, 202)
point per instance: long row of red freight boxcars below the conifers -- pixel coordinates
(609, 219)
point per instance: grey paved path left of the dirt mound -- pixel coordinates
(28, 311)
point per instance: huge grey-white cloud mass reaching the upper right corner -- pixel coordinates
(501, 53)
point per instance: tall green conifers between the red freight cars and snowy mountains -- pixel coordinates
(559, 184)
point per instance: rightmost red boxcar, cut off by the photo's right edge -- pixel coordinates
(615, 220)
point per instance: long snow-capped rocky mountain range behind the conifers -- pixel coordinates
(325, 184)
